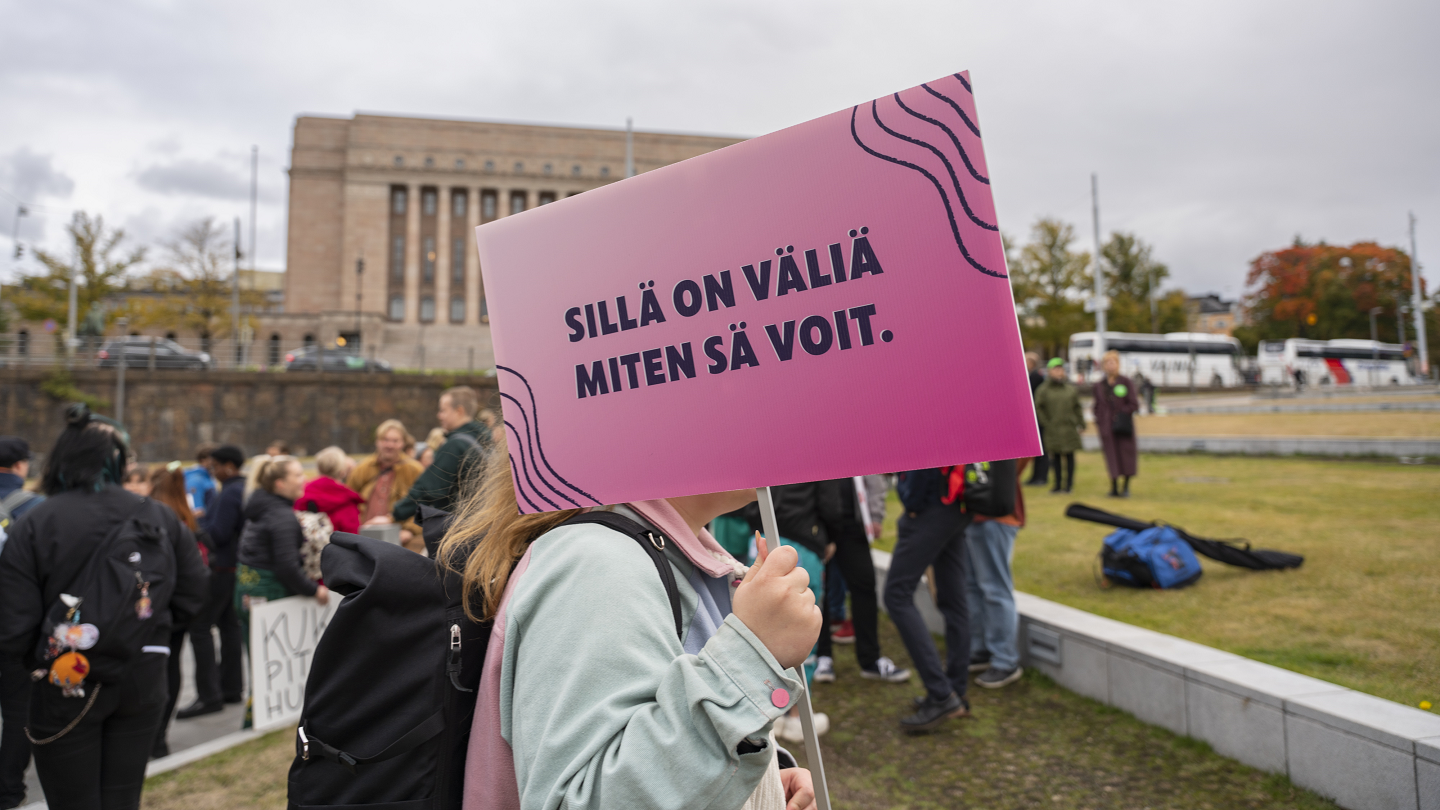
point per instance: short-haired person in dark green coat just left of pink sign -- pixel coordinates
(467, 445)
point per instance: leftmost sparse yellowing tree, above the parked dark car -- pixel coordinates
(100, 270)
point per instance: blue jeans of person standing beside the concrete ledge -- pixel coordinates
(991, 593)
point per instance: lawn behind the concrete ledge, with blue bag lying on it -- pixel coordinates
(1362, 612)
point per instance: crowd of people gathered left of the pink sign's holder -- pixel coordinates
(233, 530)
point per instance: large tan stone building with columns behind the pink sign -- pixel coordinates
(382, 215)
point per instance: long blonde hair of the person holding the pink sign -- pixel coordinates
(489, 535)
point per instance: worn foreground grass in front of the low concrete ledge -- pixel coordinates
(1032, 744)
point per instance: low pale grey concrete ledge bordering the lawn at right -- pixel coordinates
(1363, 752)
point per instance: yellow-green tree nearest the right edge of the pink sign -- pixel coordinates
(1050, 280)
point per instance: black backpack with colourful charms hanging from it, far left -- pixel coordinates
(107, 613)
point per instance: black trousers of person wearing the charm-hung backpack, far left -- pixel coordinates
(102, 763)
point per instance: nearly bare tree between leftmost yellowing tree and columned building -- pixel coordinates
(195, 292)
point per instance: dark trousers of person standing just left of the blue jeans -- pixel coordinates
(934, 538)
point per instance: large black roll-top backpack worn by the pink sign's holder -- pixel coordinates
(392, 687)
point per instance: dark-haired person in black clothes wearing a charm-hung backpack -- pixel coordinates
(91, 752)
